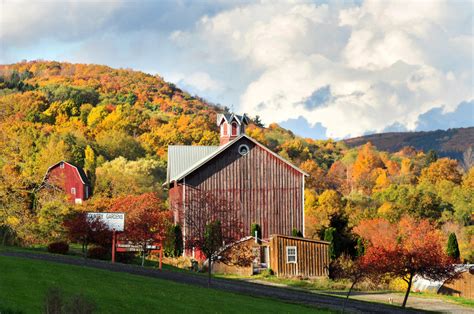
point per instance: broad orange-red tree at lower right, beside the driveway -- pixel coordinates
(411, 247)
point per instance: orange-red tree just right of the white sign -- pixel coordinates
(147, 219)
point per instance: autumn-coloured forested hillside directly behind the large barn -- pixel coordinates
(118, 123)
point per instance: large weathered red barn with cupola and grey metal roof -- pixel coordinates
(261, 186)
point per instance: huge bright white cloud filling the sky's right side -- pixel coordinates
(385, 62)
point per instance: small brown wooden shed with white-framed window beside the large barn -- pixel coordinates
(293, 256)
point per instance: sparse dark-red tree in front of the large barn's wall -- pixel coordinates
(211, 220)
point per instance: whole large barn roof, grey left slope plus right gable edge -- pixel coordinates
(190, 160)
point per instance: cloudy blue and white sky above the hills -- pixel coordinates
(323, 69)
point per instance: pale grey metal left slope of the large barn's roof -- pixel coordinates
(181, 158)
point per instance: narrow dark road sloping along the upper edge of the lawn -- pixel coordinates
(236, 286)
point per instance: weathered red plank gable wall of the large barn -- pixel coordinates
(261, 188)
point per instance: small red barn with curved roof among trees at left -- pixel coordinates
(70, 179)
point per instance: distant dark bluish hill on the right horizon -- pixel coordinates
(452, 143)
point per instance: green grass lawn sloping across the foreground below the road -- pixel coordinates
(24, 283)
